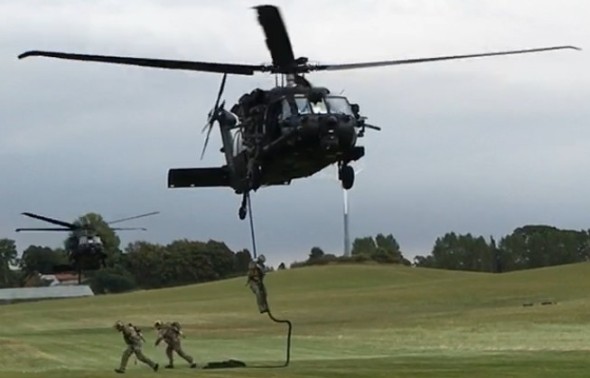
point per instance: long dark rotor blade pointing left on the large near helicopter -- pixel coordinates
(237, 69)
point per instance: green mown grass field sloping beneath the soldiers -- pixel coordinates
(348, 321)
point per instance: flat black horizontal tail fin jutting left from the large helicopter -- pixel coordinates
(198, 177)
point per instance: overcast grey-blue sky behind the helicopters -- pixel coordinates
(480, 146)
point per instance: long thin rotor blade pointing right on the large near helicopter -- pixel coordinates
(334, 67)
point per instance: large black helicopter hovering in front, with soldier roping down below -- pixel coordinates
(271, 137)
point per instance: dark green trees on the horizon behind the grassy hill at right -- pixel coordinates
(527, 247)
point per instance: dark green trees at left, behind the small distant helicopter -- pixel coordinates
(140, 265)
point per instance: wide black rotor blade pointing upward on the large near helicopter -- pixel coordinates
(277, 38)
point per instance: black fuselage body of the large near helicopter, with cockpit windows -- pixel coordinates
(290, 133)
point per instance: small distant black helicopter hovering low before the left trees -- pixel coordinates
(87, 251)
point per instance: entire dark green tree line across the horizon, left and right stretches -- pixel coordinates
(144, 265)
